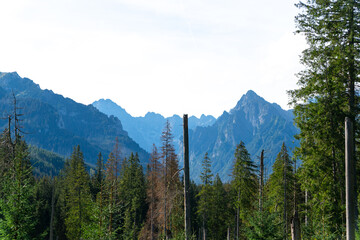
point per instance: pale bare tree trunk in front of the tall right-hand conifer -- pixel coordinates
(349, 180)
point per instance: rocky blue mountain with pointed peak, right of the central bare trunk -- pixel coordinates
(256, 122)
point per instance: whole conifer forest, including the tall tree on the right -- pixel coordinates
(303, 197)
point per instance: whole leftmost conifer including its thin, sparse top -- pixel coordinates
(17, 211)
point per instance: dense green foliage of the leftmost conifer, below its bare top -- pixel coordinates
(17, 220)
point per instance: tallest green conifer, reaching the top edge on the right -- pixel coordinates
(325, 97)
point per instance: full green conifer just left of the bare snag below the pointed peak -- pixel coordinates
(244, 183)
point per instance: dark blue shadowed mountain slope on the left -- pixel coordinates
(57, 124)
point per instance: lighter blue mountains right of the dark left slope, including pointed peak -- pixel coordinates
(256, 122)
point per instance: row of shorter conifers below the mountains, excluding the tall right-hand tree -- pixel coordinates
(121, 200)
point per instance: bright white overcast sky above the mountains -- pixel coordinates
(165, 56)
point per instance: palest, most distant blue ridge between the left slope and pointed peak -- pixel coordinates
(147, 130)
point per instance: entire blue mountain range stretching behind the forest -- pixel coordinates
(57, 124)
